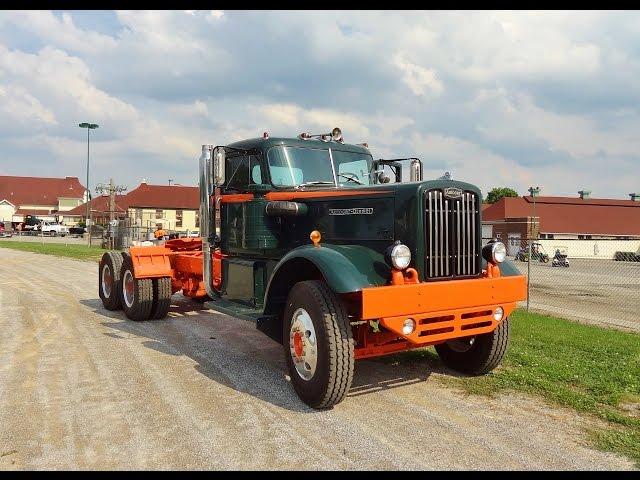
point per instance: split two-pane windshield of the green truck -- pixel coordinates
(295, 166)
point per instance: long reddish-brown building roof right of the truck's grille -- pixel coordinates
(593, 216)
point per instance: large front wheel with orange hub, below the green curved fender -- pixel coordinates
(318, 344)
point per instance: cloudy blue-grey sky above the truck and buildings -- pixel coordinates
(496, 98)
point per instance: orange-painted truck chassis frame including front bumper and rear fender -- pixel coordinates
(441, 310)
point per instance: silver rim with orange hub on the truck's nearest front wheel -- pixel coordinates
(303, 344)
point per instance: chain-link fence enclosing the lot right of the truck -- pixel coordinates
(588, 280)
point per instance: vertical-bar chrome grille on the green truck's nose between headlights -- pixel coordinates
(452, 249)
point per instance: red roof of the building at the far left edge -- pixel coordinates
(39, 190)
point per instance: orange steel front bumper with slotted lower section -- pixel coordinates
(443, 310)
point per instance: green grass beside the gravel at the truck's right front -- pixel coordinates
(591, 369)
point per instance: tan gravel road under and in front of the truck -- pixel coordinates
(84, 388)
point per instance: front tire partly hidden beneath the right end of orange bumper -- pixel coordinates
(476, 355)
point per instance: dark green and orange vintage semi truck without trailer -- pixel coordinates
(335, 255)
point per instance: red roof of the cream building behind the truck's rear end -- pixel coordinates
(164, 196)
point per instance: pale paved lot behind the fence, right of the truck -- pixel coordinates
(603, 292)
